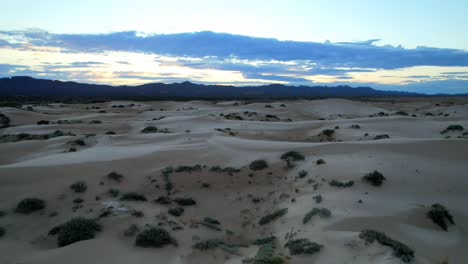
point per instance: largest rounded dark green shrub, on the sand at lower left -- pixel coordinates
(77, 229)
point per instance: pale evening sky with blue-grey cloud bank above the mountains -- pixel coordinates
(417, 46)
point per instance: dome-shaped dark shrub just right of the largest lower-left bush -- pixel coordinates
(154, 237)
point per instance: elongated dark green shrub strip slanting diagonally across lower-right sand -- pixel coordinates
(400, 250)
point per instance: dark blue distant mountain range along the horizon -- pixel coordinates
(28, 87)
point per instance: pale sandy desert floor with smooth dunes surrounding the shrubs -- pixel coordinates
(421, 167)
